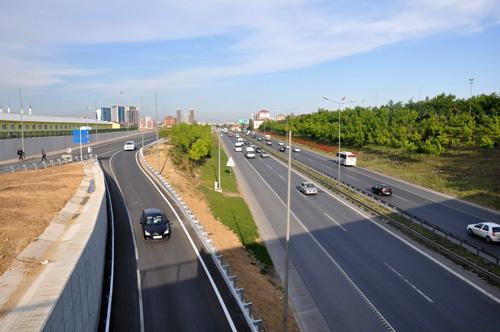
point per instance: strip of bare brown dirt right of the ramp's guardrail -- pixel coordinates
(263, 290)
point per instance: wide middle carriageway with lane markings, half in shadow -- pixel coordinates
(361, 275)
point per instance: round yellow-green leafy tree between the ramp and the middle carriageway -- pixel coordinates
(191, 143)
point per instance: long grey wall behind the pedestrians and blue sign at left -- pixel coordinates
(33, 146)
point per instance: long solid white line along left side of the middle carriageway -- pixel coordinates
(364, 298)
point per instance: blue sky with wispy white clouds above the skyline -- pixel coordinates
(228, 59)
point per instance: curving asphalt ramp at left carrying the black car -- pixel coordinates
(160, 285)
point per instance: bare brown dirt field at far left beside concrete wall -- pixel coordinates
(28, 202)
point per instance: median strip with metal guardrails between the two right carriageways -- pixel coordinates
(312, 172)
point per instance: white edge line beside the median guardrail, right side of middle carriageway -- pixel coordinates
(397, 236)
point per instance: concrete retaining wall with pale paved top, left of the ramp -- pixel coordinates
(55, 284)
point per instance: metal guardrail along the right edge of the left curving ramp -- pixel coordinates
(224, 269)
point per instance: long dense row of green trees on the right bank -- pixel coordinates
(430, 126)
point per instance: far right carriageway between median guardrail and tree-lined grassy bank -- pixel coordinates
(450, 214)
